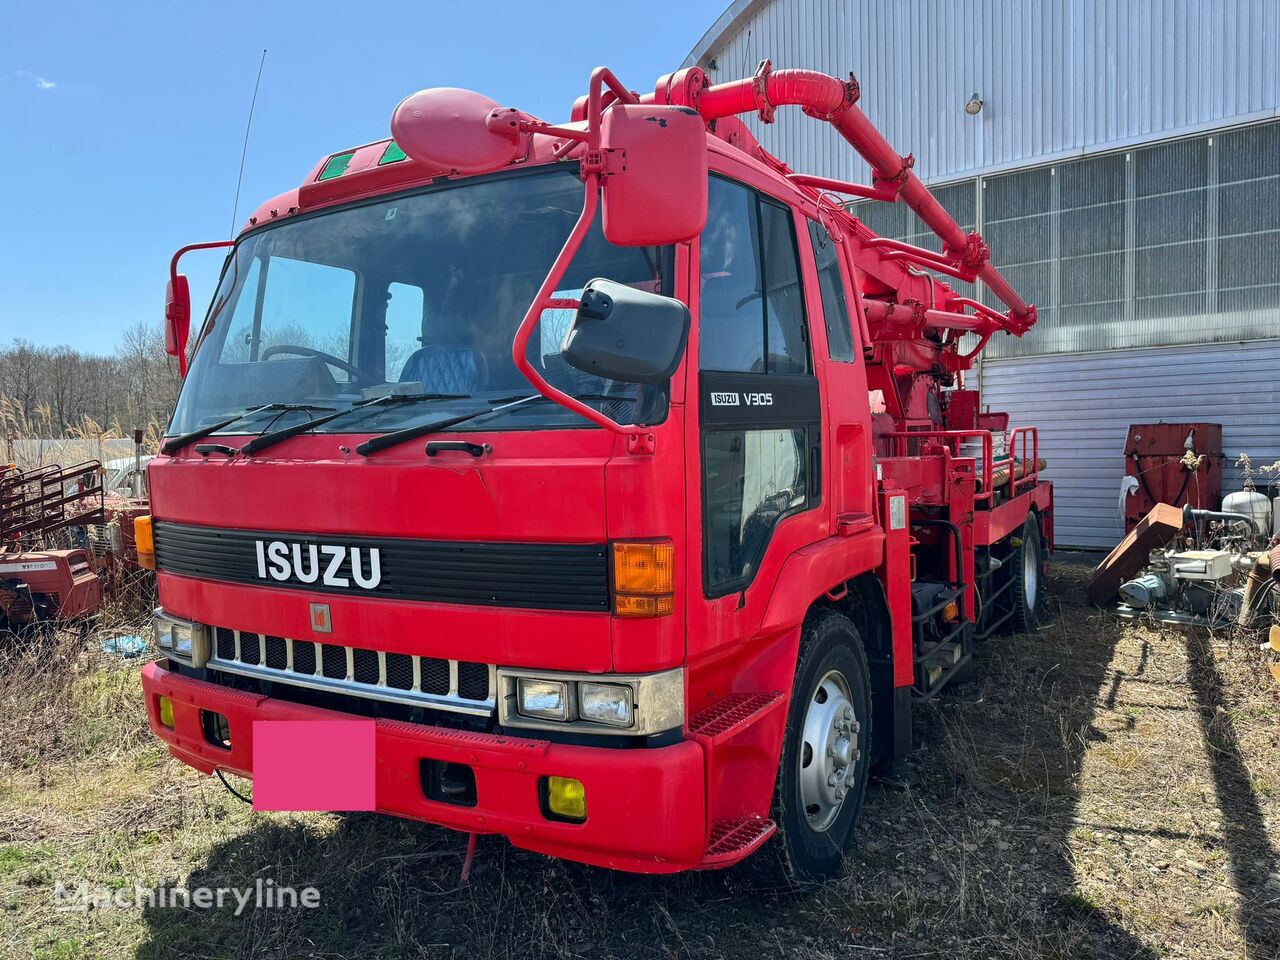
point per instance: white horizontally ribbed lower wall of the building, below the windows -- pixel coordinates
(1084, 405)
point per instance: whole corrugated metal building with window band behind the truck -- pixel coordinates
(1126, 170)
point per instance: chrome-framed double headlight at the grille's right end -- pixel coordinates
(633, 705)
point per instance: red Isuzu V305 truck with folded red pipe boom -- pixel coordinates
(618, 474)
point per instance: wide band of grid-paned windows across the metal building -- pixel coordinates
(1165, 245)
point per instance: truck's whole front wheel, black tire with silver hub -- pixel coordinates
(816, 820)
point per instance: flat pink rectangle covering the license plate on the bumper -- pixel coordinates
(314, 765)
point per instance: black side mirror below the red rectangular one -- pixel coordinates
(621, 333)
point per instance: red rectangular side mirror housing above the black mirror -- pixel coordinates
(656, 193)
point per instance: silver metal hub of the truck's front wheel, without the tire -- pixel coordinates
(829, 753)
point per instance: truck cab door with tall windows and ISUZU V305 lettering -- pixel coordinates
(760, 414)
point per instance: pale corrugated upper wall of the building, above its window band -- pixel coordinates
(1059, 77)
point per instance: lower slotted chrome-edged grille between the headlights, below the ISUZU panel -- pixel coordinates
(400, 678)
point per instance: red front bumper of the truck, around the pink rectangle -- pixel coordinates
(647, 808)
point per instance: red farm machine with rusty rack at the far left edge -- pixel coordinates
(47, 569)
